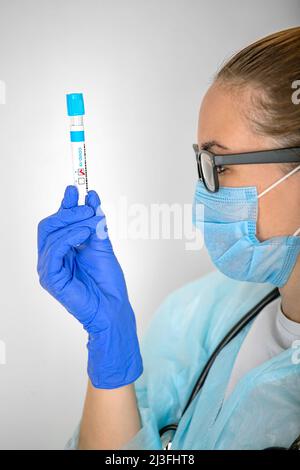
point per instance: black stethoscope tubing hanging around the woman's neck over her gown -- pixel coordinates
(171, 428)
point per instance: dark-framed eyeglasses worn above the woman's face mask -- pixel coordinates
(209, 164)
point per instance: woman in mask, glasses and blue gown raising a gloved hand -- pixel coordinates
(250, 399)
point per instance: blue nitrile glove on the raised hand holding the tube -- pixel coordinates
(77, 266)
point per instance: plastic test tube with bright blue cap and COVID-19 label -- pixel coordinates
(75, 106)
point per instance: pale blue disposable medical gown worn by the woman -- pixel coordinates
(263, 409)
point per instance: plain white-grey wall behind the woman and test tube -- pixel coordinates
(143, 67)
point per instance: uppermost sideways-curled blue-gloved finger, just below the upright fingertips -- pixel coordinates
(62, 218)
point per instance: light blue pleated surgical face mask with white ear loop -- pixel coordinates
(227, 219)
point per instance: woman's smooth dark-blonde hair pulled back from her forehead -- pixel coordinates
(270, 66)
